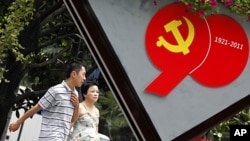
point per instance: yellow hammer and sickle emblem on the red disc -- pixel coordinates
(183, 45)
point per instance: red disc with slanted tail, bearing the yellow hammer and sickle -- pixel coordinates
(176, 42)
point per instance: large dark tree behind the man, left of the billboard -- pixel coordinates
(37, 39)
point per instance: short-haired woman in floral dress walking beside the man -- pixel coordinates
(85, 127)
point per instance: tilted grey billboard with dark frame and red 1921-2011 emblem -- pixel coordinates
(174, 74)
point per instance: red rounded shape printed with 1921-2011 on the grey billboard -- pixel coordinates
(228, 55)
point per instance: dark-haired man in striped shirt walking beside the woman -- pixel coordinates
(59, 105)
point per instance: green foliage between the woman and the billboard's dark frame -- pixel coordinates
(114, 123)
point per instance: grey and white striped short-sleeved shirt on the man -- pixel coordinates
(57, 113)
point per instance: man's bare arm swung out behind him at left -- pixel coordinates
(15, 125)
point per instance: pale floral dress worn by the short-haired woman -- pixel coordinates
(85, 128)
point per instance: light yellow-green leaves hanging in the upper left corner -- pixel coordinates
(13, 22)
